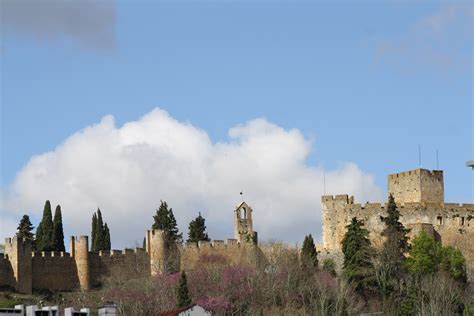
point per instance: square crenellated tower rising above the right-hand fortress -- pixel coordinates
(417, 186)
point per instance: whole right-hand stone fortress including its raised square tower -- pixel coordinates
(419, 195)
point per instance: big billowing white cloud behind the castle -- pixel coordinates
(126, 171)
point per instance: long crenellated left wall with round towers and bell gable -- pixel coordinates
(81, 269)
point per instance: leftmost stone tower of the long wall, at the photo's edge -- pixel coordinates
(19, 254)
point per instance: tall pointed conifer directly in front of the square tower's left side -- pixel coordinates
(390, 267)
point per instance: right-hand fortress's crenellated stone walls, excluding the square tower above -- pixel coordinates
(452, 224)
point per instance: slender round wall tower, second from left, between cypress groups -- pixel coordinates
(80, 251)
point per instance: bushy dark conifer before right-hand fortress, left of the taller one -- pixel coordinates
(358, 268)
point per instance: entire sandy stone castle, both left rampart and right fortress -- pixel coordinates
(419, 195)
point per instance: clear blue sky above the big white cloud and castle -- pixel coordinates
(366, 82)
